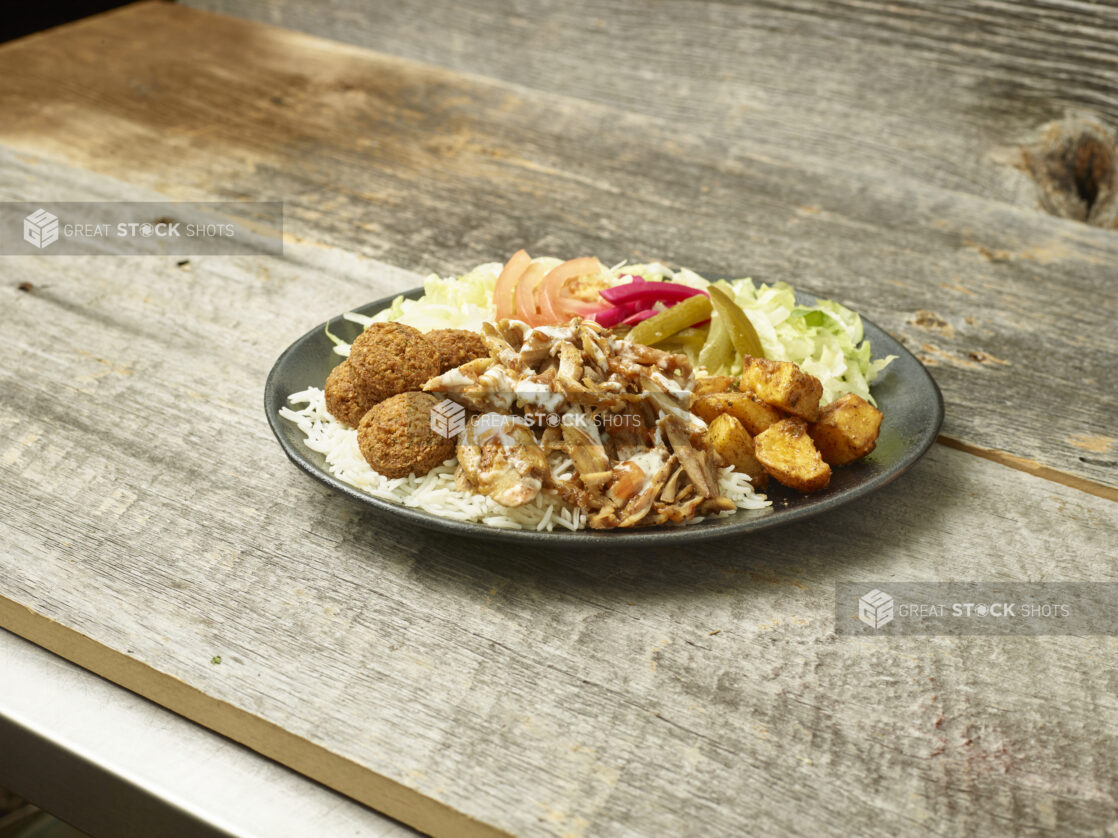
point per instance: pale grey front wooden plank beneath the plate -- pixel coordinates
(150, 523)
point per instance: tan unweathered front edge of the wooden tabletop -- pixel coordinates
(377, 792)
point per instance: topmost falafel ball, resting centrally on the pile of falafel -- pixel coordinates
(390, 359)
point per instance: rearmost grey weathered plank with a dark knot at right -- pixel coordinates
(945, 94)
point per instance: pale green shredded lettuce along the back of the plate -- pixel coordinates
(826, 340)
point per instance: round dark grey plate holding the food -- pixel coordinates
(906, 394)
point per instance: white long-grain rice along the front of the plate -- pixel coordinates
(437, 493)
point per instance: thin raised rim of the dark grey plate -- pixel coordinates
(917, 383)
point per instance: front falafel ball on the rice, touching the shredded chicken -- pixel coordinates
(396, 437)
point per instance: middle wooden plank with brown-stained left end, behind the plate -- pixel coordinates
(433, 172)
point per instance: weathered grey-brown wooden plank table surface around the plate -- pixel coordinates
(946, 169)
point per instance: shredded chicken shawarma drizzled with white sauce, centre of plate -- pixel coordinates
(619, 412)
